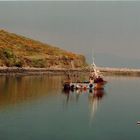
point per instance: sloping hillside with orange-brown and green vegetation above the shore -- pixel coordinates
(19, 51)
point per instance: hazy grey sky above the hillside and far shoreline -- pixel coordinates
(112, 29)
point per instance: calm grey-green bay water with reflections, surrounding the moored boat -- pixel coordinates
(35, 107)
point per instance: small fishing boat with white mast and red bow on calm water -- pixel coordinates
(96, 81)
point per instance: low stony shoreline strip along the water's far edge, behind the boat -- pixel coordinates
(60, 71)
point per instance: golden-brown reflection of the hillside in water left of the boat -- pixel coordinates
(16, 89)
